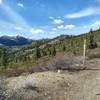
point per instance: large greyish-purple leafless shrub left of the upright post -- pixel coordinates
(65, 62)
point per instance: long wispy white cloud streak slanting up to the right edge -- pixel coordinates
(84, 12)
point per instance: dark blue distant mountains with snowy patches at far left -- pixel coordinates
(14, 41)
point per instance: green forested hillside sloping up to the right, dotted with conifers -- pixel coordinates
(25, 57)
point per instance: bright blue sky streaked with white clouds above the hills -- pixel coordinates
(48, 18)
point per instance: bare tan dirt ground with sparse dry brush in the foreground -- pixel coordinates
(61, 85)
